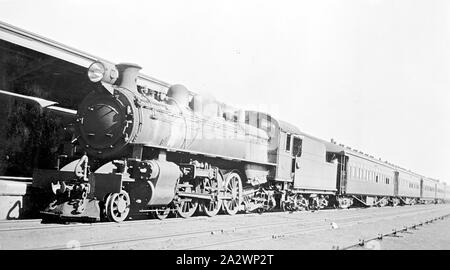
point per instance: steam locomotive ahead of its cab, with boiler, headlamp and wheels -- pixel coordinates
(145, 151)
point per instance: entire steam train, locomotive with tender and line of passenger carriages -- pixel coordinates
(151, 152)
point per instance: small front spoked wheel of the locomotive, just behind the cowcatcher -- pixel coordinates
(118, 206)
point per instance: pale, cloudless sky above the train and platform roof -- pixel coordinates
(371, 74)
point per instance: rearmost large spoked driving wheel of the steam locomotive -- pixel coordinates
(233, 193)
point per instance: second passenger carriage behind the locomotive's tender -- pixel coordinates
(407, 187)
